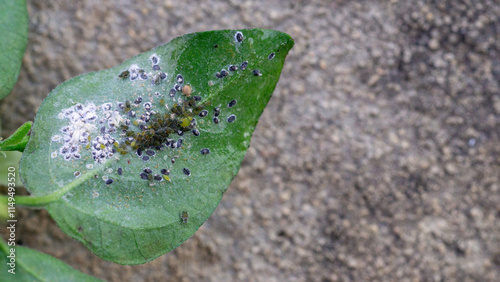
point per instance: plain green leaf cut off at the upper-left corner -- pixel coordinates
(13, 38)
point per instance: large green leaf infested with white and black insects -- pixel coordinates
(134, 220)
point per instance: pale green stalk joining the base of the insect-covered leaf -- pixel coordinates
(40, 201)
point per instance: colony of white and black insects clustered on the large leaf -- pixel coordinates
(138, 127)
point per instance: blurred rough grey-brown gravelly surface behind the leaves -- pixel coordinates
(378, 157)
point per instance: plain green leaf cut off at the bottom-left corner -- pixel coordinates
(31, 265)
